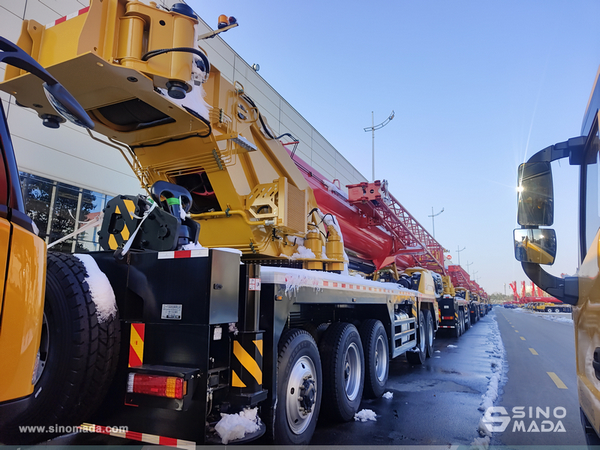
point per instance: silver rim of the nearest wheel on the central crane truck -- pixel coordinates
(301, 394)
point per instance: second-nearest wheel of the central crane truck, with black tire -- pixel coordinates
(343, 371)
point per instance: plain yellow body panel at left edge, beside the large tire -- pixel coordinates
(22, 314)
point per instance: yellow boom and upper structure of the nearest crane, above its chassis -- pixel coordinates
(260, 200)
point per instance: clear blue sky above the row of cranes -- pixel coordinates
(477, 87)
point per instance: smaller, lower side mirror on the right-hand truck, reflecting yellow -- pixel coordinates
(535, 245)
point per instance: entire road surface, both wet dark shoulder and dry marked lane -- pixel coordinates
(511, 359)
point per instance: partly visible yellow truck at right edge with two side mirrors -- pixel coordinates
(535, 244)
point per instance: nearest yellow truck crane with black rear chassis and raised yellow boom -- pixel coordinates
(259, 321)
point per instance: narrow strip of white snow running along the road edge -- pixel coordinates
(497, 379)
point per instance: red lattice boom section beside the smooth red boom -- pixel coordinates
(382, 209)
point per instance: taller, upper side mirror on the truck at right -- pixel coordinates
(536, 196)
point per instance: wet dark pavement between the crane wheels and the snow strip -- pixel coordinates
(433, 404)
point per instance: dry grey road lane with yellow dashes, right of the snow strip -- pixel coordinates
(542, 384)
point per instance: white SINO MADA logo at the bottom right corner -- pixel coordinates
(525, 419)
